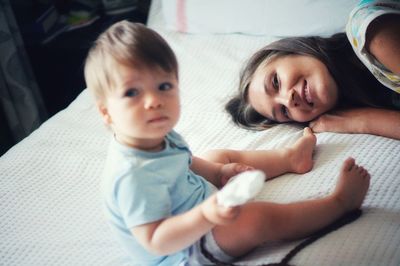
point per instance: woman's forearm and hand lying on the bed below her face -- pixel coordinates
(375, 121)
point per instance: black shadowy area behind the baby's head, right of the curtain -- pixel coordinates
(57, 57)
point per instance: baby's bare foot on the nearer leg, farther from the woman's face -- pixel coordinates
(352, 185)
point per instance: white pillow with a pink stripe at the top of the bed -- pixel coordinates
(279, 18)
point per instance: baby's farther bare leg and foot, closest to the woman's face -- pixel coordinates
(296, 159)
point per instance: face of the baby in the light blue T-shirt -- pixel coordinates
(143, 107)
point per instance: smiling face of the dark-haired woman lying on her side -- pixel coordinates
(292, 88)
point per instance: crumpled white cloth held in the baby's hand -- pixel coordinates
(241, 188)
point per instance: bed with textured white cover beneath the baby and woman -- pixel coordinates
(50, 209)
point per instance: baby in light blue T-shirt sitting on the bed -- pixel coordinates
(159, 198)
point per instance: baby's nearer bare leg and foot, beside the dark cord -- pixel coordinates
(260, 222)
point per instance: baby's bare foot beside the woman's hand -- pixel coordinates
(300, 155)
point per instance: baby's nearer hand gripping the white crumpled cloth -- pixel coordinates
(218, 214)
